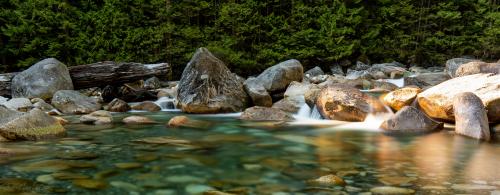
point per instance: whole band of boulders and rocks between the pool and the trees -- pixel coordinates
(465, 92)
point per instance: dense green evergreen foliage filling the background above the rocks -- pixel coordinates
(249, 35)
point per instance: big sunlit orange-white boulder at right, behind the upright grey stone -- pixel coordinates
(437, 102)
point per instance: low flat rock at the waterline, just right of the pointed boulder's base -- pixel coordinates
(258, 113)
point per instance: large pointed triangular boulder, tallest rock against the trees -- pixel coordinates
(207, 86)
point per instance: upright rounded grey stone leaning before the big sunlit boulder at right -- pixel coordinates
(470, 117)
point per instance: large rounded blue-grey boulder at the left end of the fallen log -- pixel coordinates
(42, 80)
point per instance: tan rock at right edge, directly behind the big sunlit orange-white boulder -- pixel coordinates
(476, 68)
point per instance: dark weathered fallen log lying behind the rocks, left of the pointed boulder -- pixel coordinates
(111, 73)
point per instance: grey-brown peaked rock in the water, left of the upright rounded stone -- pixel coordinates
(411, 120)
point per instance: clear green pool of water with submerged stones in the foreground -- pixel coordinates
(244, 158)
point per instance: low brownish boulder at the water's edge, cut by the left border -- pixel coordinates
(34, 125)
